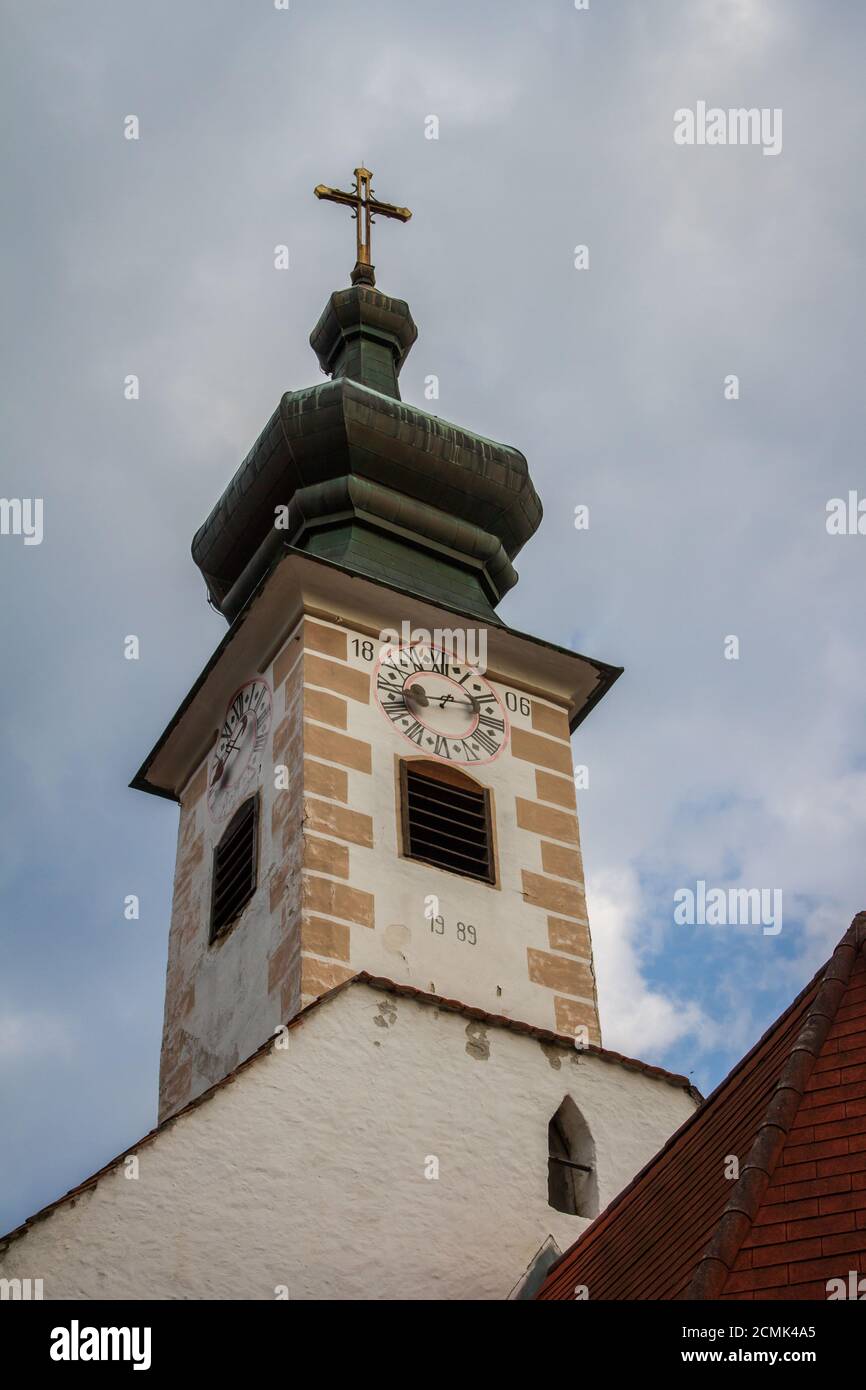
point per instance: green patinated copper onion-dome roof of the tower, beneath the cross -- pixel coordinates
(365, 479)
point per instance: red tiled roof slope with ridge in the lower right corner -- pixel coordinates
(794, 1113)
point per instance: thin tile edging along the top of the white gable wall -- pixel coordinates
(390, 988)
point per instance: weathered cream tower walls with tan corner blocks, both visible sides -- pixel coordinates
(336, 896)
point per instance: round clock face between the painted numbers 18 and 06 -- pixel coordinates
(448, 711)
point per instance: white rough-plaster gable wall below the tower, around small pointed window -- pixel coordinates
(308, 1170)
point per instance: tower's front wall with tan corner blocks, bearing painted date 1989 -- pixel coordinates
(533, 957)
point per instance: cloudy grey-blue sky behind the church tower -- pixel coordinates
(707, 515)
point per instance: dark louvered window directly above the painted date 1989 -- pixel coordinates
(447, 821)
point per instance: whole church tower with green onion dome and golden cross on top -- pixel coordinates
(375, 772)
